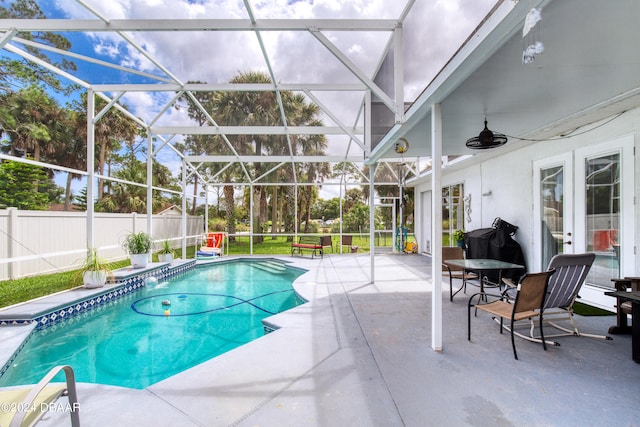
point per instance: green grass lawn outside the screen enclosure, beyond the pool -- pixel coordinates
(20, 290)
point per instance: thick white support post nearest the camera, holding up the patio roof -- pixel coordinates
(436, 226)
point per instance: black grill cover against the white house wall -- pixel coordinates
(496, 243)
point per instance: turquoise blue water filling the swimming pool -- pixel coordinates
(161, 329)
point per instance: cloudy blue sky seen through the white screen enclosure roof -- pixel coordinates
(433, 31)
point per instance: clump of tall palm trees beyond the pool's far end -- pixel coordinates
(261, 108)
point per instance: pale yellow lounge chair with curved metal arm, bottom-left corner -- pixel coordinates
(25, 406)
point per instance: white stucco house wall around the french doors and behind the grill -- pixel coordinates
(500, 182)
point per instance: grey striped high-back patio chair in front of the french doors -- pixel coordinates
(564, 286)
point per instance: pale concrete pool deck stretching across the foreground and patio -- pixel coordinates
(358, 354)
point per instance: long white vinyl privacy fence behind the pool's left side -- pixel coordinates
(39, 242)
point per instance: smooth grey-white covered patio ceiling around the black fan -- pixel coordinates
(589, 71)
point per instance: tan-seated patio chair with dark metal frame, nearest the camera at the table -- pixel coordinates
(529, 300)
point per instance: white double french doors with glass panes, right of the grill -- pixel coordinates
(584, 203)
